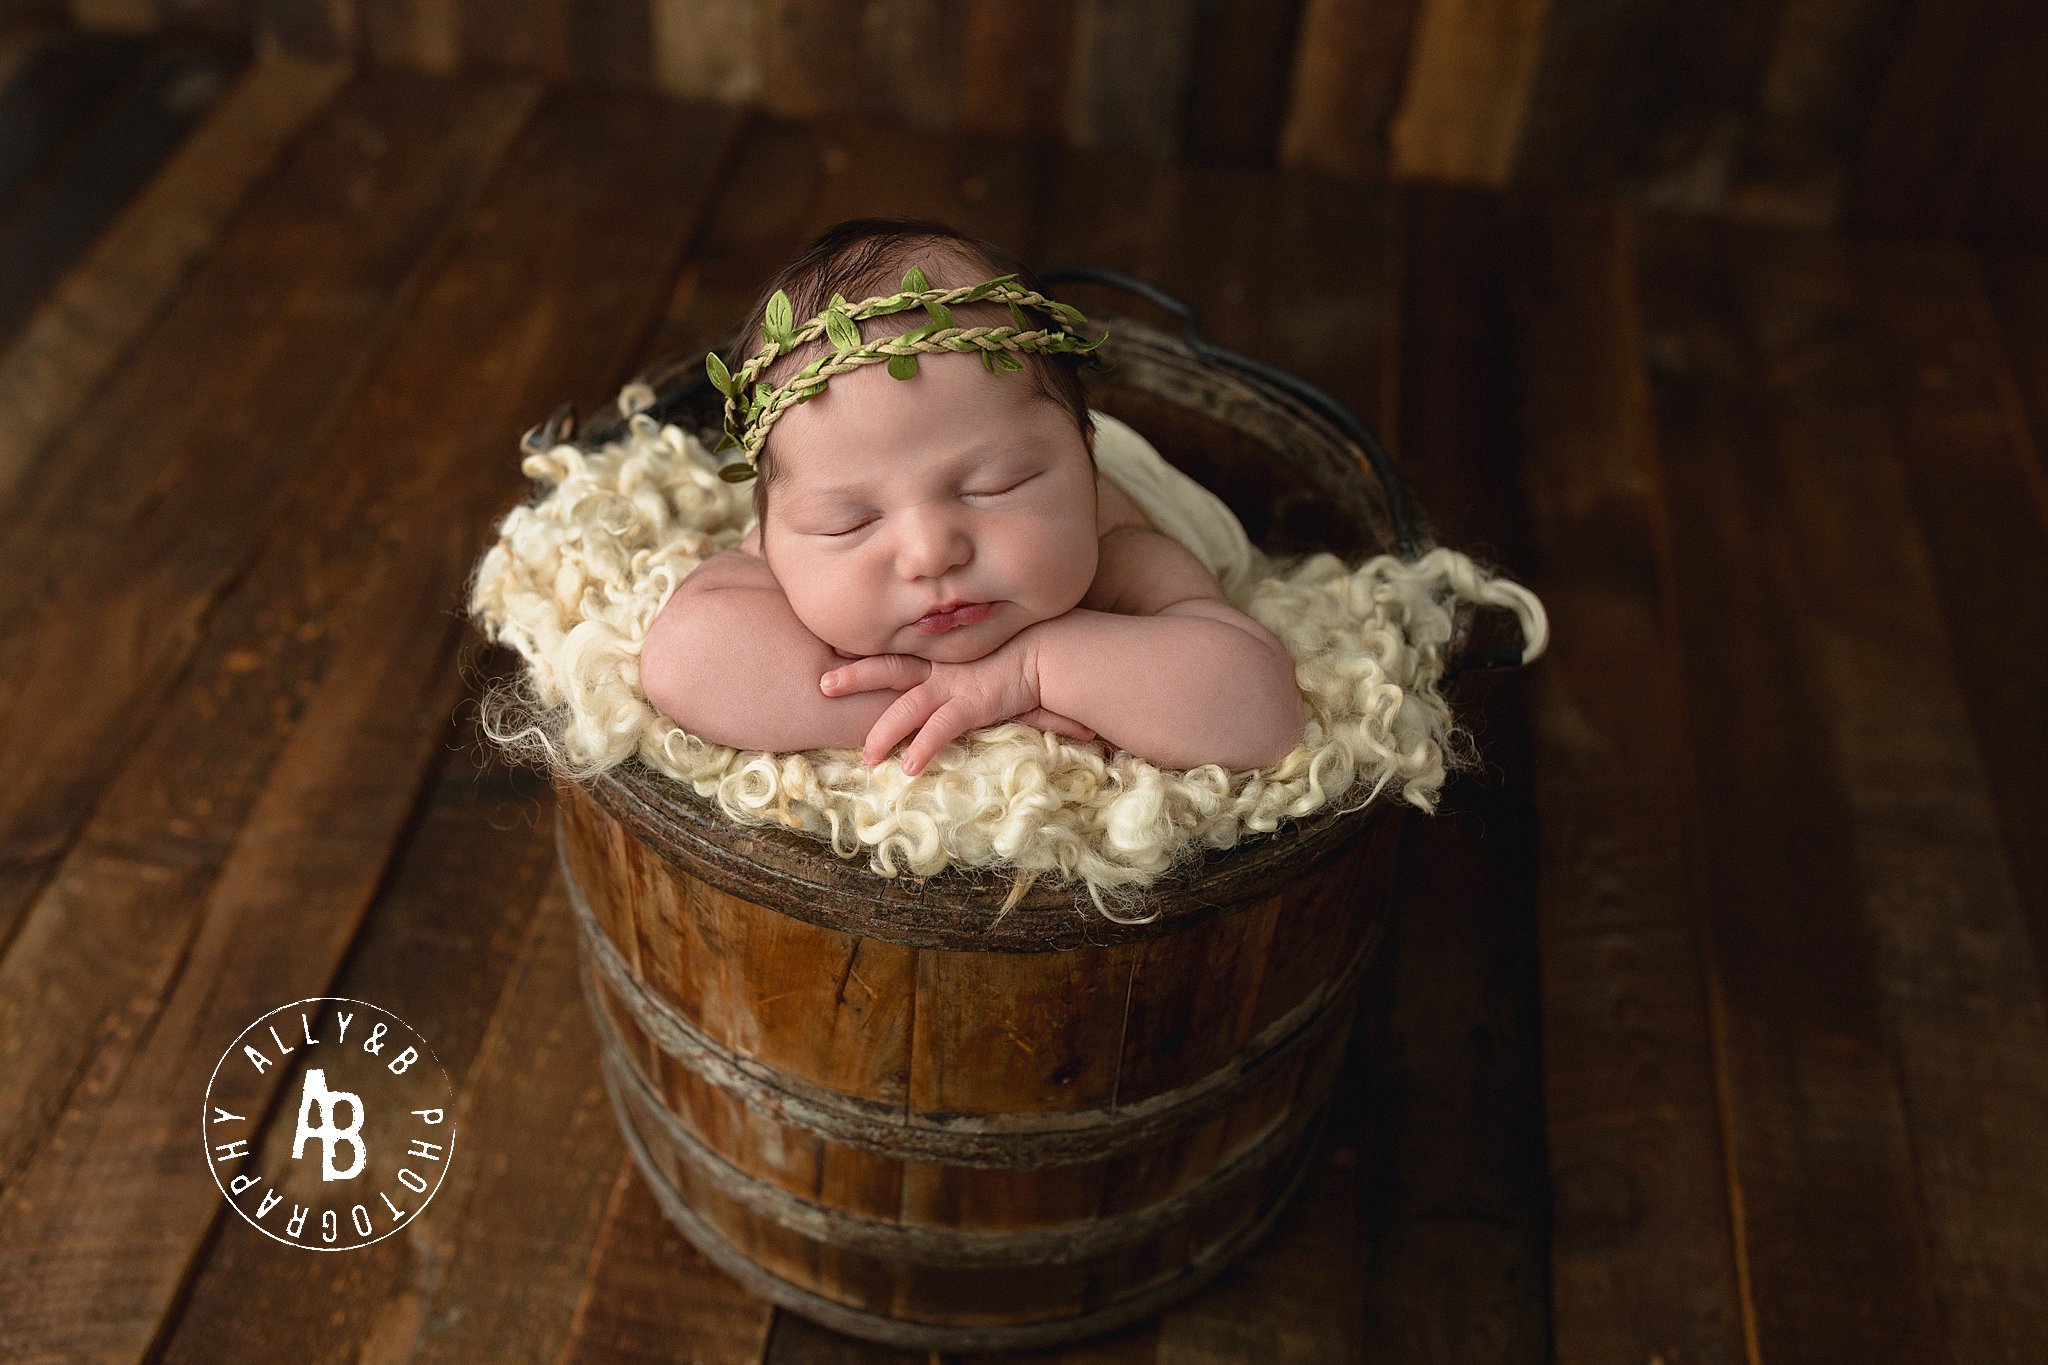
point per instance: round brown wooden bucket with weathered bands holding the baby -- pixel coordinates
(880, 1112)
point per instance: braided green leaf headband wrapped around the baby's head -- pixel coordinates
(751, 416)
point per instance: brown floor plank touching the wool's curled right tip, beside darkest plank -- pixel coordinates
(1644, 1251)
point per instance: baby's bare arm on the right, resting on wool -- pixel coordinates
(1160, 664)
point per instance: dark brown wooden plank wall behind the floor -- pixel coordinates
(1900, 116)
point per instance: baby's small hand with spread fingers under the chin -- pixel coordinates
(945, 701)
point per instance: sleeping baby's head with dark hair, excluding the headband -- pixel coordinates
(886, 498)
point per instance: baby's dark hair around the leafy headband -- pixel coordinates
(861, 259)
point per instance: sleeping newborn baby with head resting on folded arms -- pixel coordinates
(935, 552)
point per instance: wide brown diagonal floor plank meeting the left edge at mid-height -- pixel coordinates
(140, 519)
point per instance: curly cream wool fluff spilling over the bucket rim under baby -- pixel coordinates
(581, 574)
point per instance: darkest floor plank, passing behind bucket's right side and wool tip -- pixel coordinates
(1455, 1204)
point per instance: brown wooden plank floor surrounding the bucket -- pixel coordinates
(1711, 1026)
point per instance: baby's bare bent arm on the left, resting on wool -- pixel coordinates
(730, 662)
